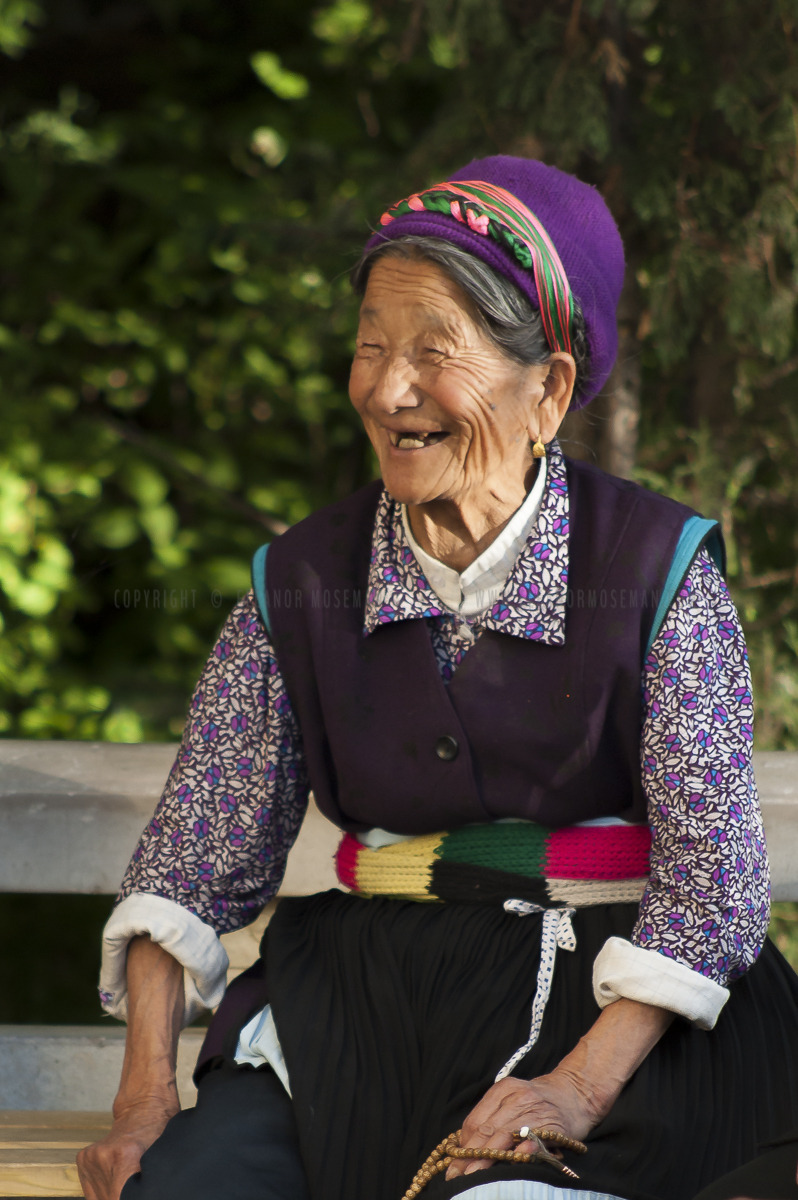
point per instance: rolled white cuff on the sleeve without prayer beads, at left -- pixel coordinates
(185, 937)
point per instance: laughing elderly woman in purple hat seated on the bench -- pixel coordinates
(520, 688)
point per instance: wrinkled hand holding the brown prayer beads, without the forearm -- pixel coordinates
(551, 1102)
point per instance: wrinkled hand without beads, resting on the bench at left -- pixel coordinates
(106, 1166)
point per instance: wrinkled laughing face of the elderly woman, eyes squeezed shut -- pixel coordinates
(449, 416)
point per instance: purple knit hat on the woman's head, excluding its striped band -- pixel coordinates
(575, 219)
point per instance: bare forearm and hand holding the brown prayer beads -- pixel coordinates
(577, 1095)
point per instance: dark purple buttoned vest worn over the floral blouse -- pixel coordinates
(543, 733)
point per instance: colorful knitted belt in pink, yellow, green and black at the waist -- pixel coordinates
(574, 867)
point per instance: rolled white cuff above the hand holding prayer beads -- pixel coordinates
(637, 974)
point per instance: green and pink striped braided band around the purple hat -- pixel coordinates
(494, 213)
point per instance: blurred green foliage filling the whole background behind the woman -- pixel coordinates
(184, 189)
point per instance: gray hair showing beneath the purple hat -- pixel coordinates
(503, 311)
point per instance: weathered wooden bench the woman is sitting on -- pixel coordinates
(70, 818)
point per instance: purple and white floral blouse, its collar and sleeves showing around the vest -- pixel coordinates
(238, 791)
